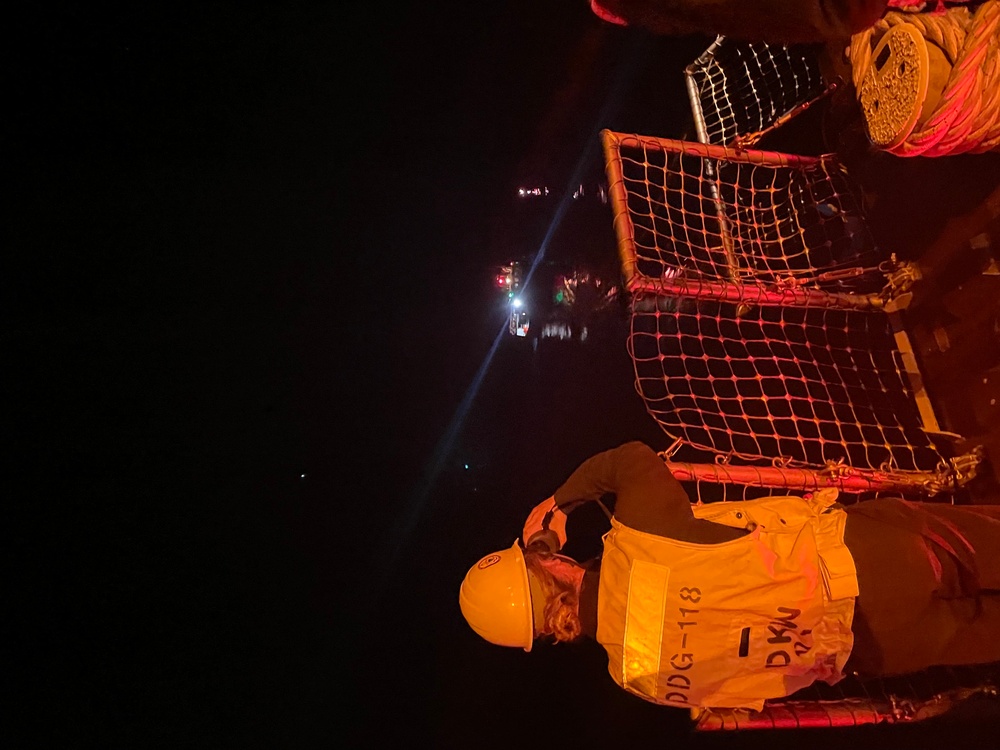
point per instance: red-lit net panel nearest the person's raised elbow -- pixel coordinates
(814, 386)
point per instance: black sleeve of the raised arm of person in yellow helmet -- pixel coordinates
(648, 497)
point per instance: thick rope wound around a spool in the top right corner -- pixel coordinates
(929, 82)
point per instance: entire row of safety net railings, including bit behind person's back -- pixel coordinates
(764, 341)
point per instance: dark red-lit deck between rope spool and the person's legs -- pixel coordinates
(943, 214)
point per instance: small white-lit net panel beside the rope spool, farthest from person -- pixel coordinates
(740, 90)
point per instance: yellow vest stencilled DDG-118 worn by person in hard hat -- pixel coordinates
(730, 625)
